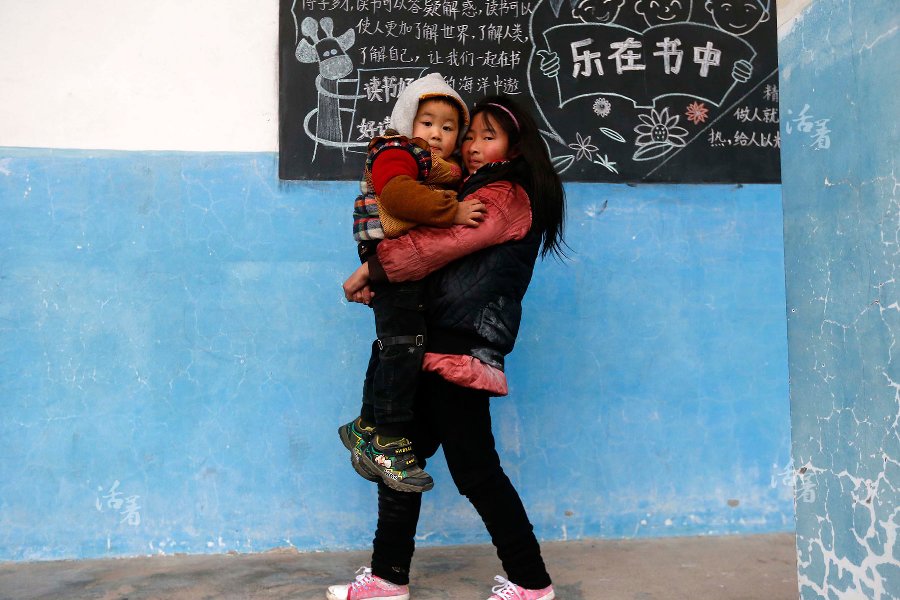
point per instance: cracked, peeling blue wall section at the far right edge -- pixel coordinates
(842, 253)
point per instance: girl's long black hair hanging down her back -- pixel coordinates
(548, 199)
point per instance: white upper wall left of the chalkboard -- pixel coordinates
(120, 74)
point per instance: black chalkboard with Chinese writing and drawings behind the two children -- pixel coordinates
(623, 90)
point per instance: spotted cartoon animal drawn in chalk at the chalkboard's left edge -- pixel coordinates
(330, 53)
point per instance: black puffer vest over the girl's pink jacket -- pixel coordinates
(474, 304)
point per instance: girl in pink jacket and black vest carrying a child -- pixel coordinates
(477, 278)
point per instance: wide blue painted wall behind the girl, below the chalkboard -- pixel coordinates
(175, 357)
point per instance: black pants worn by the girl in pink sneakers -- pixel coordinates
(458, 419)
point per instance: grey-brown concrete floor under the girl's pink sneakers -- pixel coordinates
(761, 567)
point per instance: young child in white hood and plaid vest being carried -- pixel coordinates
(410, 179)
